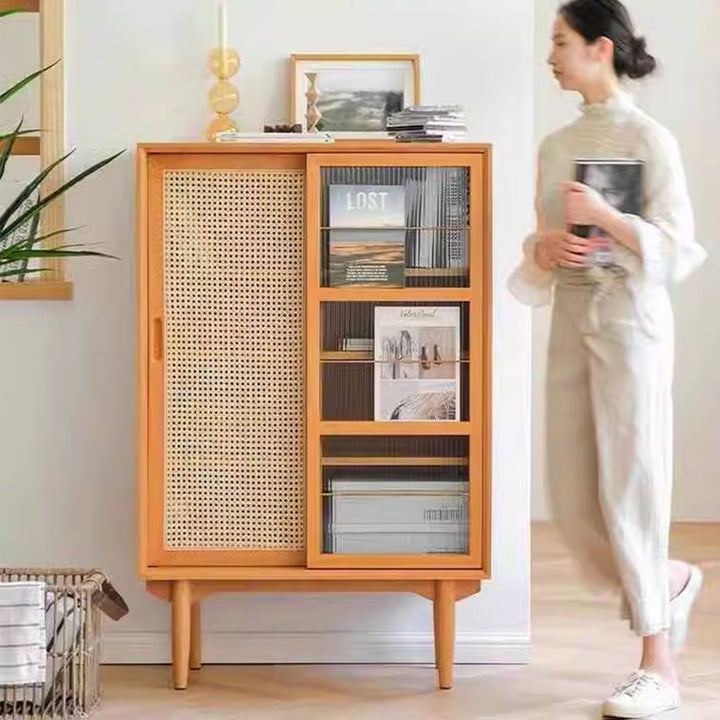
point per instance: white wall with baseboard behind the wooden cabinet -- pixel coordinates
(136, 72)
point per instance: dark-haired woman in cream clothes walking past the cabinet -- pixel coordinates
(610, 363)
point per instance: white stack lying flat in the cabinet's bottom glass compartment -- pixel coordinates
(409, 515)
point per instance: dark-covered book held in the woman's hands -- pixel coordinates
(620, 182)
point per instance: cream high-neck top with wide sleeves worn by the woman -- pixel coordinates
(614, 129)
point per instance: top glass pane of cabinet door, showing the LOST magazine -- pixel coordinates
(394, 226)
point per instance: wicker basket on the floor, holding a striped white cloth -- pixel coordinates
(72, 631)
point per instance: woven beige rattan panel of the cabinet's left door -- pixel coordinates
(234, 394)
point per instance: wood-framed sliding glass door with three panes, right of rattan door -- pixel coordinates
(395, 358)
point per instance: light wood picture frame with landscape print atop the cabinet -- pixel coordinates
(356, 91)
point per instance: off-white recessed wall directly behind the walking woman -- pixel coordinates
(685, 96)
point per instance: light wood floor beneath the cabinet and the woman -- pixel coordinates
(580, 649)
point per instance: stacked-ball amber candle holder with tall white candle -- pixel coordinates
(223, 63)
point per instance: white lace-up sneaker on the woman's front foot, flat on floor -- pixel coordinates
(643, 693)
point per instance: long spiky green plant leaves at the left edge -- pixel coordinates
(21, 237)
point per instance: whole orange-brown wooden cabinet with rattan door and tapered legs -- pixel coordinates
(247, 471)
